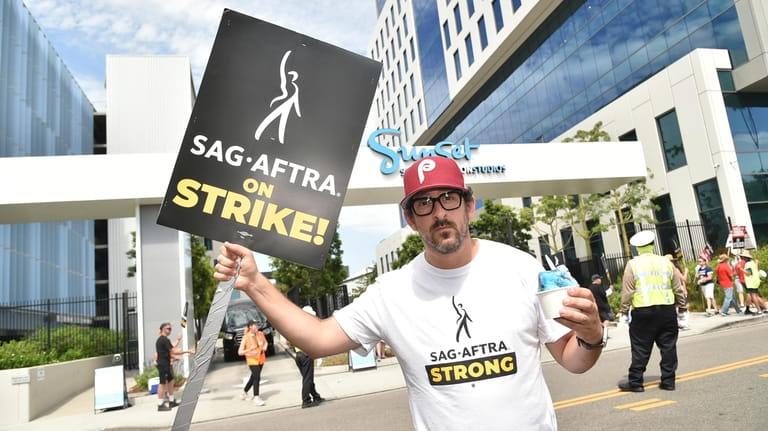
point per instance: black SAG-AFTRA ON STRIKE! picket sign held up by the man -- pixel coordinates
(269, 148)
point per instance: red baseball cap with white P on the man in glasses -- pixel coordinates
(430, 173)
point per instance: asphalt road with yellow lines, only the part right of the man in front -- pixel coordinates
(722, 384)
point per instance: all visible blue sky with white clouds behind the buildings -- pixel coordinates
(83, 32)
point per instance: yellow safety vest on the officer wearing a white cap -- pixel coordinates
(653, 281)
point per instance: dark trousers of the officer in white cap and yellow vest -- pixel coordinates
(649, 325)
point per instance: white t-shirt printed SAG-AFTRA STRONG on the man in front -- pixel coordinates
(468, 339)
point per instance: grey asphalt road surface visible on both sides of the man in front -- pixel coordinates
(722, 384)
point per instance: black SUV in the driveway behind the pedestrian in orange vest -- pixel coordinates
(239, 313)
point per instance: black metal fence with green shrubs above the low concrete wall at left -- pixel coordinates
(61, 321)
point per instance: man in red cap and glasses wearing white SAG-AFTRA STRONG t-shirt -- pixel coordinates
(462, 317)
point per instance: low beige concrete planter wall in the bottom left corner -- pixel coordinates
(28, 393)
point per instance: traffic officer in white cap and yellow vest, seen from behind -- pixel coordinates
(650, 287)
